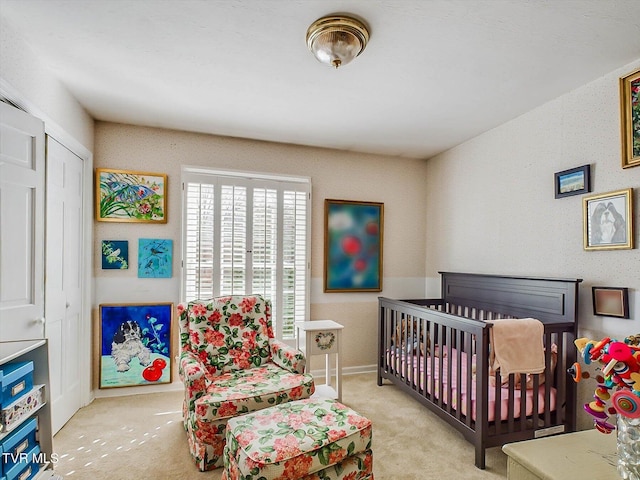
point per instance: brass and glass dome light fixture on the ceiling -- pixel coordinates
(336, 40)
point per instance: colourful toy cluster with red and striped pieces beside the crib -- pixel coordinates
(619, 383)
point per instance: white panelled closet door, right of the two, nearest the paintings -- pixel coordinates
(63, 291)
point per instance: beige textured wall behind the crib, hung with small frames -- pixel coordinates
(491, 205)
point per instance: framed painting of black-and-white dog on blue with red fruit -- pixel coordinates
(135, 344)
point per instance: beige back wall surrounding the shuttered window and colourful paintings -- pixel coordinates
(398, 183)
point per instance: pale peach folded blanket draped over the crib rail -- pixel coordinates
(517, 346)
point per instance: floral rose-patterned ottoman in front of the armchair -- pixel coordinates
(311, 439)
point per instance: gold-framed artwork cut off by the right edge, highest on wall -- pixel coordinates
(630, 119)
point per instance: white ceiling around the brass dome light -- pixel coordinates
(435, 72)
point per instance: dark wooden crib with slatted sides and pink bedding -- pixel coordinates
(437, 350)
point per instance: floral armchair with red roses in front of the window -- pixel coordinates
(231, 364)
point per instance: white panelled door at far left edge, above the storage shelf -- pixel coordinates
(21, 225)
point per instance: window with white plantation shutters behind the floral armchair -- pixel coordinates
(248, 233)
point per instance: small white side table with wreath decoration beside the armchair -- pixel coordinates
(323, 337)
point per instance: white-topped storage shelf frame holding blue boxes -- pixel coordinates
(35, 351)
